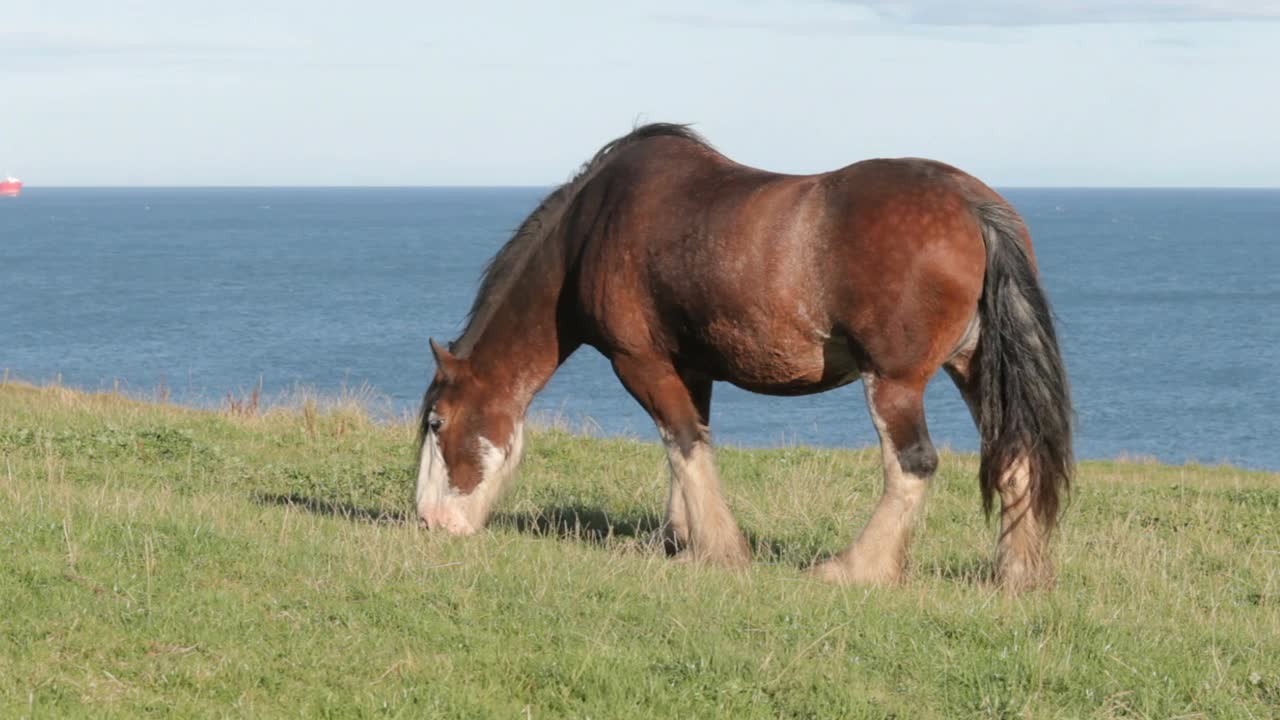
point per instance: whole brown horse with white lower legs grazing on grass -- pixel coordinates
(684, 268)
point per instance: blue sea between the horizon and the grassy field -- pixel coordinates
(1169, 306)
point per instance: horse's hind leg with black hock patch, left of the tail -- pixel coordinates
(880, 553)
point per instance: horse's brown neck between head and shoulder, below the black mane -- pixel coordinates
(523, 344)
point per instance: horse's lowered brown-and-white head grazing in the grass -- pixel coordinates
(472, 439)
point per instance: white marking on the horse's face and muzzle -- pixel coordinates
(442, 507)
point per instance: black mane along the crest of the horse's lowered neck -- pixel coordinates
(514, 259)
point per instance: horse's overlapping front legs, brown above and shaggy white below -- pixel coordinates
(698, 518)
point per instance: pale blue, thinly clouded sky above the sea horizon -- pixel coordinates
(1021, 93)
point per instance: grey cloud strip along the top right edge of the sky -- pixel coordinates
(1068, 12)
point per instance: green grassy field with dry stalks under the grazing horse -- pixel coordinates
(158, 560)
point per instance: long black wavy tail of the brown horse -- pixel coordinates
(1023, 402)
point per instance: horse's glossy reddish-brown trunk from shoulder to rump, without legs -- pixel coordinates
(780, 284)
